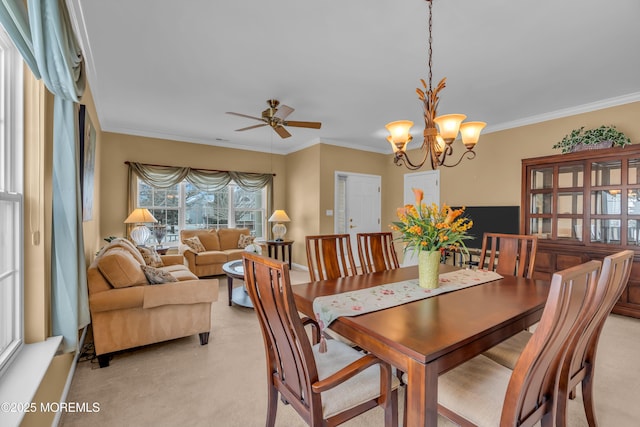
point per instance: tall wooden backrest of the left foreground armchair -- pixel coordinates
(292, 367)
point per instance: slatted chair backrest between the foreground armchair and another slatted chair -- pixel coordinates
(329, 256)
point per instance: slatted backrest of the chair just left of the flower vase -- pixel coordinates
(376, 252)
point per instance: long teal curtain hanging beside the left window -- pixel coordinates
(49, 47)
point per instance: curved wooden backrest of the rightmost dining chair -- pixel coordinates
(616, 270)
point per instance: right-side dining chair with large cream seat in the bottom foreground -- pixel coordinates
(481, 392)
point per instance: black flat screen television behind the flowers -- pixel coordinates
(491, 219)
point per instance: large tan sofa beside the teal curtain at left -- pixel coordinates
(127, 311)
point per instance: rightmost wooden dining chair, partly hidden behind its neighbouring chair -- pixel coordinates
(580, 368)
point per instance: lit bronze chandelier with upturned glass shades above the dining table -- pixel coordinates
(437, 143)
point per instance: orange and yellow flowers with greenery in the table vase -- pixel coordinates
(429, 228)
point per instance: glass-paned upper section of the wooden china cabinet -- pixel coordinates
(587, 199)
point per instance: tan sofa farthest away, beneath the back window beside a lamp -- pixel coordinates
(220, 246)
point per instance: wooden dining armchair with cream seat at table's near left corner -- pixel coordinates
(325, 389)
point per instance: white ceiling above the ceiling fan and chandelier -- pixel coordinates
(172, 69)
